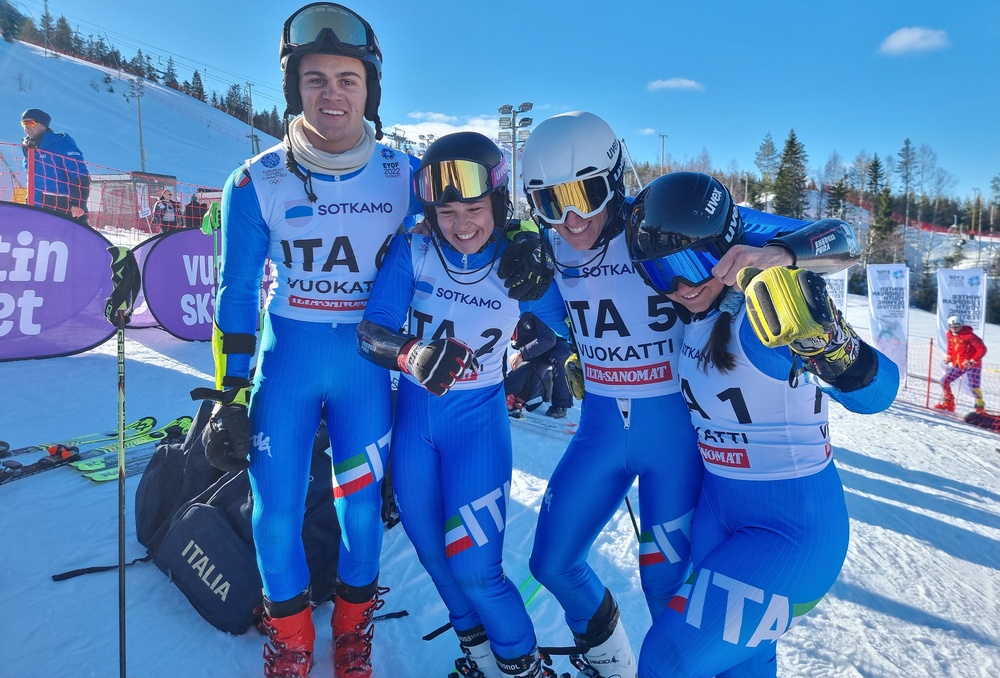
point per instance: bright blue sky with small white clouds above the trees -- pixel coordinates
(850, 76)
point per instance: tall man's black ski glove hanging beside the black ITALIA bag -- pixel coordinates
(227, 436)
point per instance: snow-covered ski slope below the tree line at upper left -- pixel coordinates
(182, 136)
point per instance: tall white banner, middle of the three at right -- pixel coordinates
(888, 311)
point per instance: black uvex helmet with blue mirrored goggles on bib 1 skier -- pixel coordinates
(681, 212)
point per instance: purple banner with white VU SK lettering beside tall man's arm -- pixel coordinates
(178, 280)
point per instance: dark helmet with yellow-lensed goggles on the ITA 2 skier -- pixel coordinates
(463, 166)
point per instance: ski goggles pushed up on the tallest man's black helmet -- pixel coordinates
(323, 21)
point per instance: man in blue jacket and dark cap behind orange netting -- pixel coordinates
(57, 171)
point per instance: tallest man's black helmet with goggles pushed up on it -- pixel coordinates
(329, 28)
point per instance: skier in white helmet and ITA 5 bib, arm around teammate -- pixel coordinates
(634, 421)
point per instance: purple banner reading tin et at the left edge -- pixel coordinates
(55, 277)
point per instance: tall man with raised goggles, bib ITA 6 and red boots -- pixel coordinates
(322, 207)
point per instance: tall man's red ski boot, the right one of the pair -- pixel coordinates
(353, 632)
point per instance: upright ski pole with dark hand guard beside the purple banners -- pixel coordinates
(118, 310)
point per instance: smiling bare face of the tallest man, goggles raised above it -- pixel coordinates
(334, 91)
